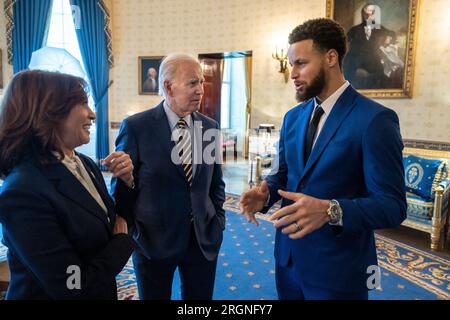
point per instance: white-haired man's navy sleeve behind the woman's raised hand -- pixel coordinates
(125, 197)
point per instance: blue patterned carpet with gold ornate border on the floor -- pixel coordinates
(246, 266)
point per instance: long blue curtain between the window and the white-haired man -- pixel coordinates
(93, 46)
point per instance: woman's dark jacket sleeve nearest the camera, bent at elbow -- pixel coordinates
(37, 238)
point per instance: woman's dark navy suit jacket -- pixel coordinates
(51, 222)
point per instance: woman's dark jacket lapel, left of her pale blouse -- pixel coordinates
(66, 184)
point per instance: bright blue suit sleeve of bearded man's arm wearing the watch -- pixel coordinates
(385, 204)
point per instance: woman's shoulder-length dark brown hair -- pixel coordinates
(34, 106)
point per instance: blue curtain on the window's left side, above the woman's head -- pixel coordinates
(31, 19)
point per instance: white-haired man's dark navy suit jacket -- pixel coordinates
(162, 204)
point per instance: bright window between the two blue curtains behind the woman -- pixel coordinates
(61, 34)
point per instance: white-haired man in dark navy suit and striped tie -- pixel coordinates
(175, 207)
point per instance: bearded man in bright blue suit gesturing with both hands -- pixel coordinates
(340, 164)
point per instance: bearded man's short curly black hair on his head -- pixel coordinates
(325, 33)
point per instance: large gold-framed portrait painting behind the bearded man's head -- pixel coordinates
(381, 42)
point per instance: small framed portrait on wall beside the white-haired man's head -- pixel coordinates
(148, 69)
